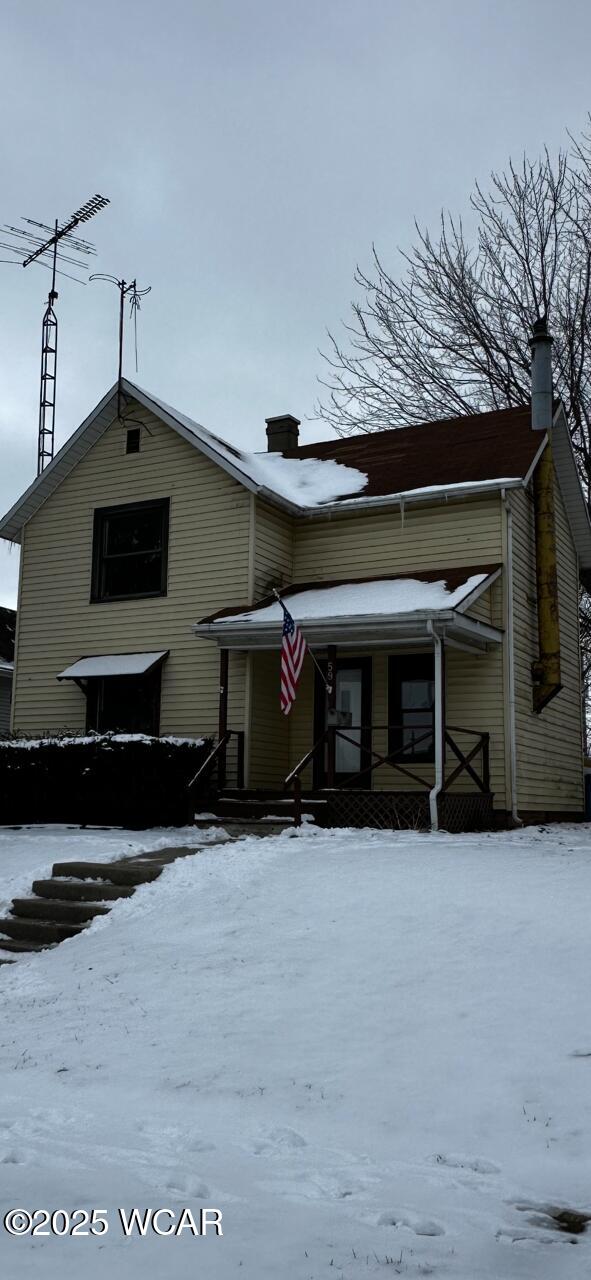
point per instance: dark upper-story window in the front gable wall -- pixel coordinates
(130, 556)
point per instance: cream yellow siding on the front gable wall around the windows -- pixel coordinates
(208, 569)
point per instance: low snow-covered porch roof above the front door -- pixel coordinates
(377, 612)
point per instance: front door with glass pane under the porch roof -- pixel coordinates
(354, 700)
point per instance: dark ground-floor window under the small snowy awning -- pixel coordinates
(125, 705)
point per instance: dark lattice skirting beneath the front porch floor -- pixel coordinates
(396, 811)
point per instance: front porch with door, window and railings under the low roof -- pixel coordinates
(397, 724)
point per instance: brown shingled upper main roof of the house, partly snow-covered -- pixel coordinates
(434, 461)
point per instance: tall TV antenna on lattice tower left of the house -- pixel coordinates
(34, 243)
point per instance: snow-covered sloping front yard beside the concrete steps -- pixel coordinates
(372, 1052)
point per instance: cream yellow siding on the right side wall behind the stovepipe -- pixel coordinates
(549, 746)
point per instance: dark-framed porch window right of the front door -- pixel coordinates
(411, 700)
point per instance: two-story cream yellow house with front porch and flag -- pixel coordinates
(433, 570)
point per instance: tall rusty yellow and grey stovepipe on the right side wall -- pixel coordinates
(547, 669)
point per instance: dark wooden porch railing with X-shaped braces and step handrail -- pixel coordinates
(393, 760)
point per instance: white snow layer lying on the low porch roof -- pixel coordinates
(384, 600)
